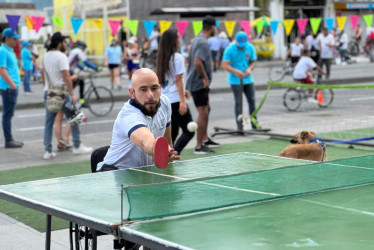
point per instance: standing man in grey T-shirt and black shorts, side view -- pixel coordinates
(199, 77)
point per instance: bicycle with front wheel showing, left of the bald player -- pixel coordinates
(98, 99)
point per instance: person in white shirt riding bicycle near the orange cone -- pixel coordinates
(300, 73)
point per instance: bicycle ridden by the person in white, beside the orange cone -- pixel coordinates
(293, 97)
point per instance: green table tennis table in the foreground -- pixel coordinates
(336, 211)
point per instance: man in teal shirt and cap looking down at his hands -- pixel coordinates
(239, 60)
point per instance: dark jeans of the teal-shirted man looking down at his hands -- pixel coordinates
(249, 92)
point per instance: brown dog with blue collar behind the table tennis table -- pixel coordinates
(306, 146)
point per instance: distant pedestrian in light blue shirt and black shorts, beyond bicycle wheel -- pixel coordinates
(112, 60)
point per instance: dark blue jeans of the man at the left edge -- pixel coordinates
(9, 97)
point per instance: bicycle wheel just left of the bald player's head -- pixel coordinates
(100, 101)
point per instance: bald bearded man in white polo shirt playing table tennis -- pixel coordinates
(146, 116)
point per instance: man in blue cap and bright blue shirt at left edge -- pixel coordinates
(9, 83)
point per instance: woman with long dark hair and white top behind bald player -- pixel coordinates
(170, 69)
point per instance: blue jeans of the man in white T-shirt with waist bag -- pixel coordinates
(50, 120)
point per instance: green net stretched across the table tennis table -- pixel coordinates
(177, 198)
